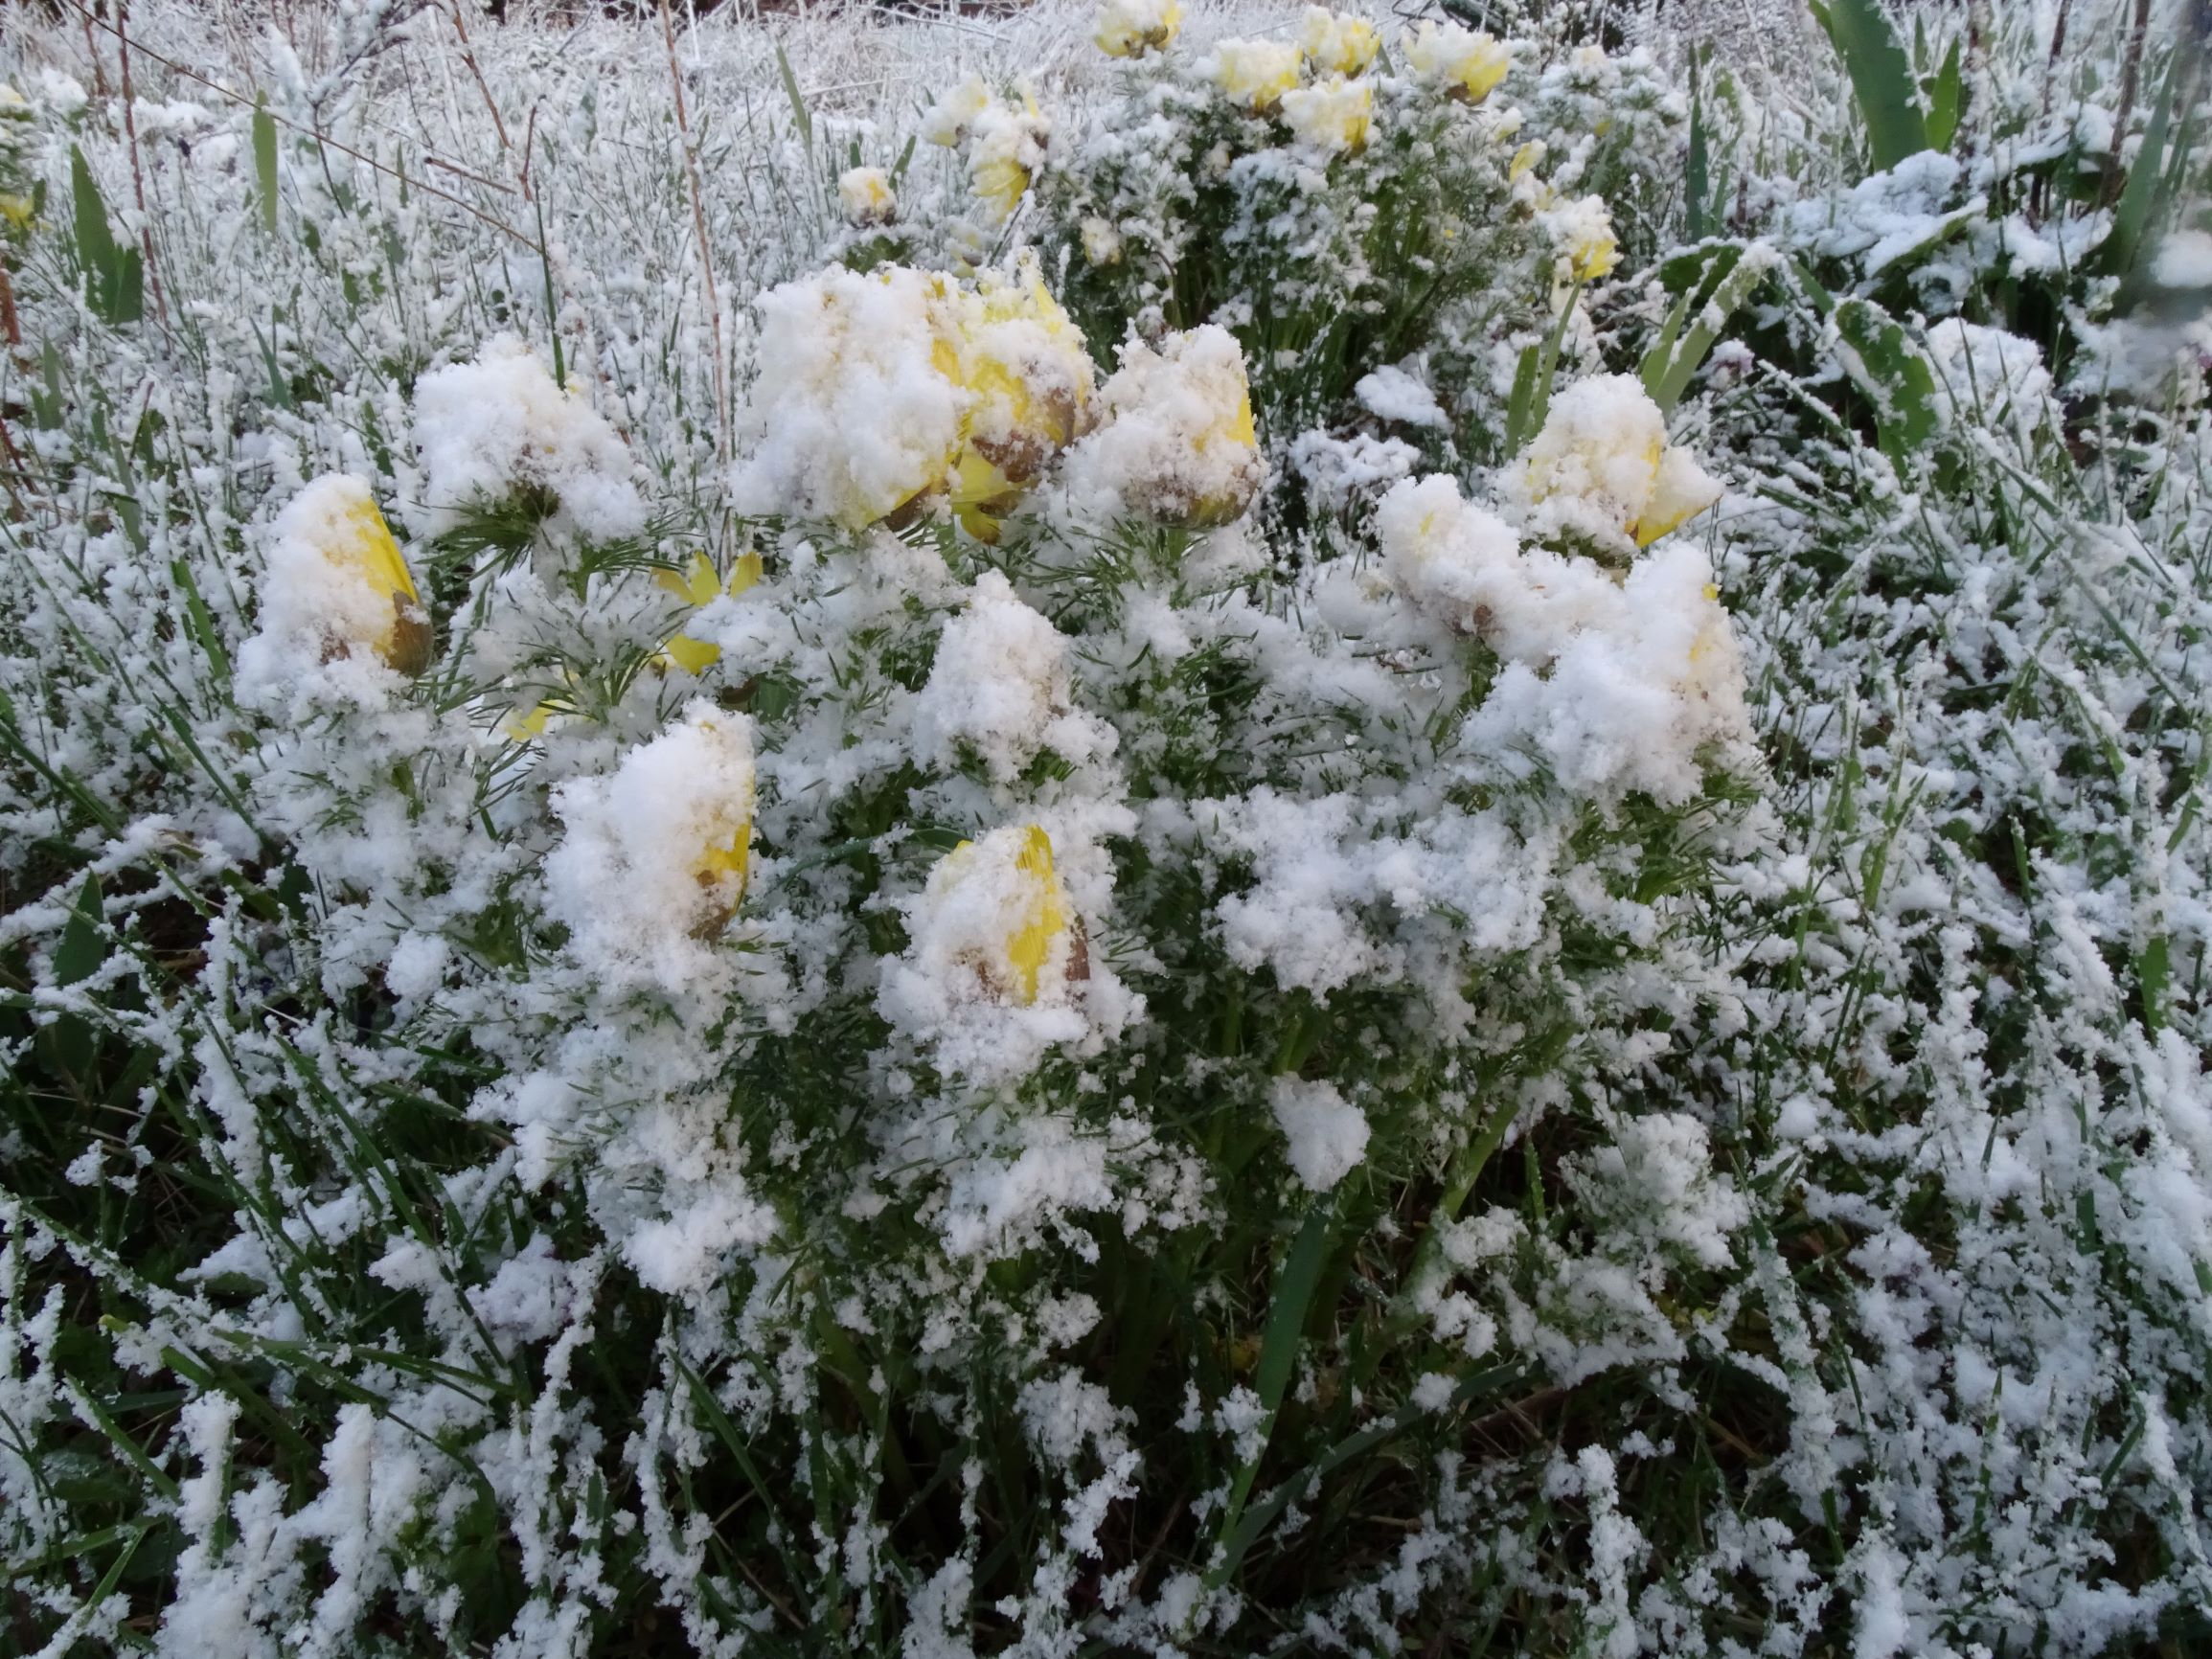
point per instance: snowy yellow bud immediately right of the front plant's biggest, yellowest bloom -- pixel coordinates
(1176, 435)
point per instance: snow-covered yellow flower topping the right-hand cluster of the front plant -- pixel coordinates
(1603, 466)
